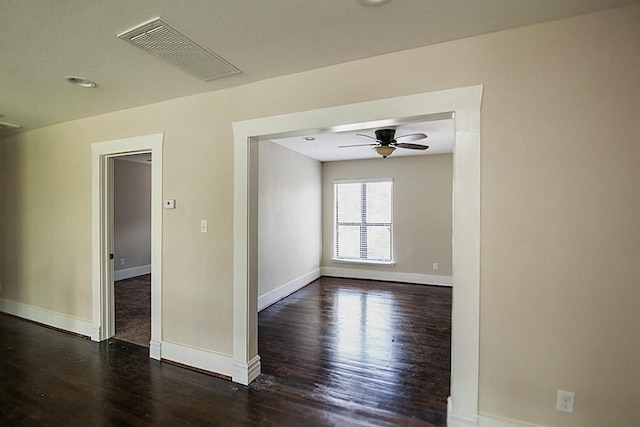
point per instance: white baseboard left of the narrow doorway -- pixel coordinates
(46, 317)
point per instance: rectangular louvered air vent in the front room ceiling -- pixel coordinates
(159, 38)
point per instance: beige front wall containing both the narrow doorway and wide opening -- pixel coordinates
(559, 242)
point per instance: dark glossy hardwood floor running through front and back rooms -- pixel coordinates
(338, 352)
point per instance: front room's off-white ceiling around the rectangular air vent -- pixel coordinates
(42, 41)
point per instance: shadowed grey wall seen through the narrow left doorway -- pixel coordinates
(131, 214)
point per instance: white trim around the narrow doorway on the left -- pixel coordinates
(101, 153)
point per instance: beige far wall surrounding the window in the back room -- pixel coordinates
(421, 210)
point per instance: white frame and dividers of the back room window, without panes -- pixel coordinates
(362, 223)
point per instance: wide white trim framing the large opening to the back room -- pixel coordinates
(465, 103)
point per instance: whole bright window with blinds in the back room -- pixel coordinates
(364, 221)
